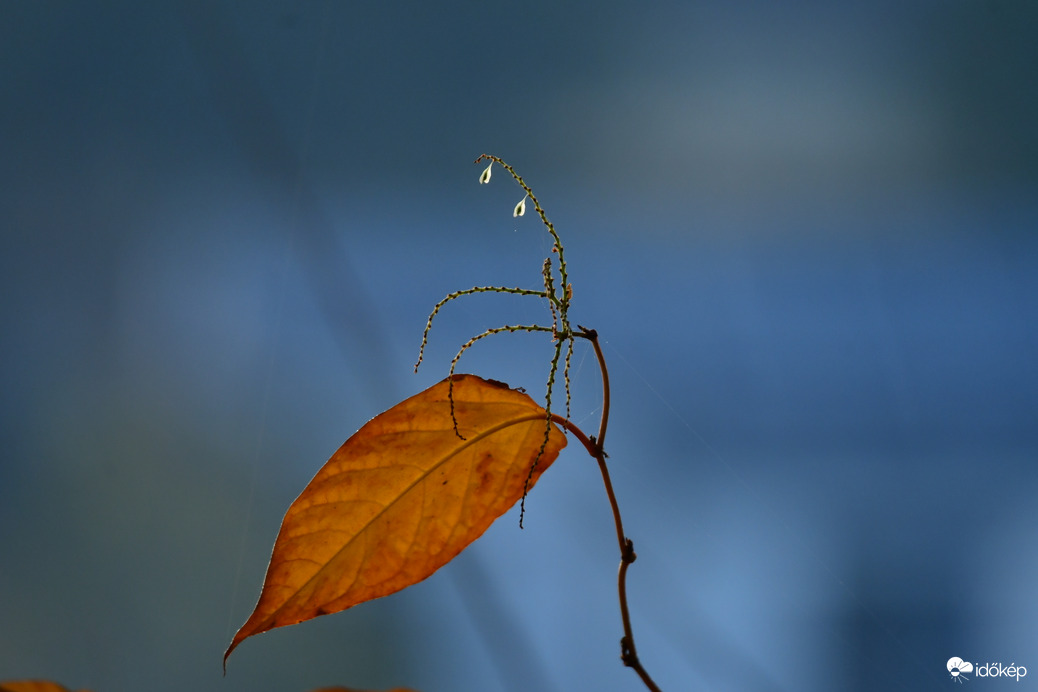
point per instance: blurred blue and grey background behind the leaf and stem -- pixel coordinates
(806, 234)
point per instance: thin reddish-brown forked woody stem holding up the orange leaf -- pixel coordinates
(629, 653)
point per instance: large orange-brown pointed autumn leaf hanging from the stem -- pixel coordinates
(401, 499)
